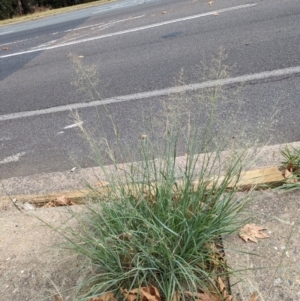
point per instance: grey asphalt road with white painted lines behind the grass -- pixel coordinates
(134, 51)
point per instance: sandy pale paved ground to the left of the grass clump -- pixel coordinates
(32, 266)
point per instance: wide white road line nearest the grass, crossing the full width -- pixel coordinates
(162, 92)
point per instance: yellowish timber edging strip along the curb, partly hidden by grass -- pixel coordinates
(257, 178)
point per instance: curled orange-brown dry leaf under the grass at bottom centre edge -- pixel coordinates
(148, 293)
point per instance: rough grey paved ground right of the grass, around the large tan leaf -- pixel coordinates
(272, 266)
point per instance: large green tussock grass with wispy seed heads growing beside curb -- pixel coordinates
(162, 218)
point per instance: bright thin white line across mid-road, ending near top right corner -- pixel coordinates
(130, 30)
